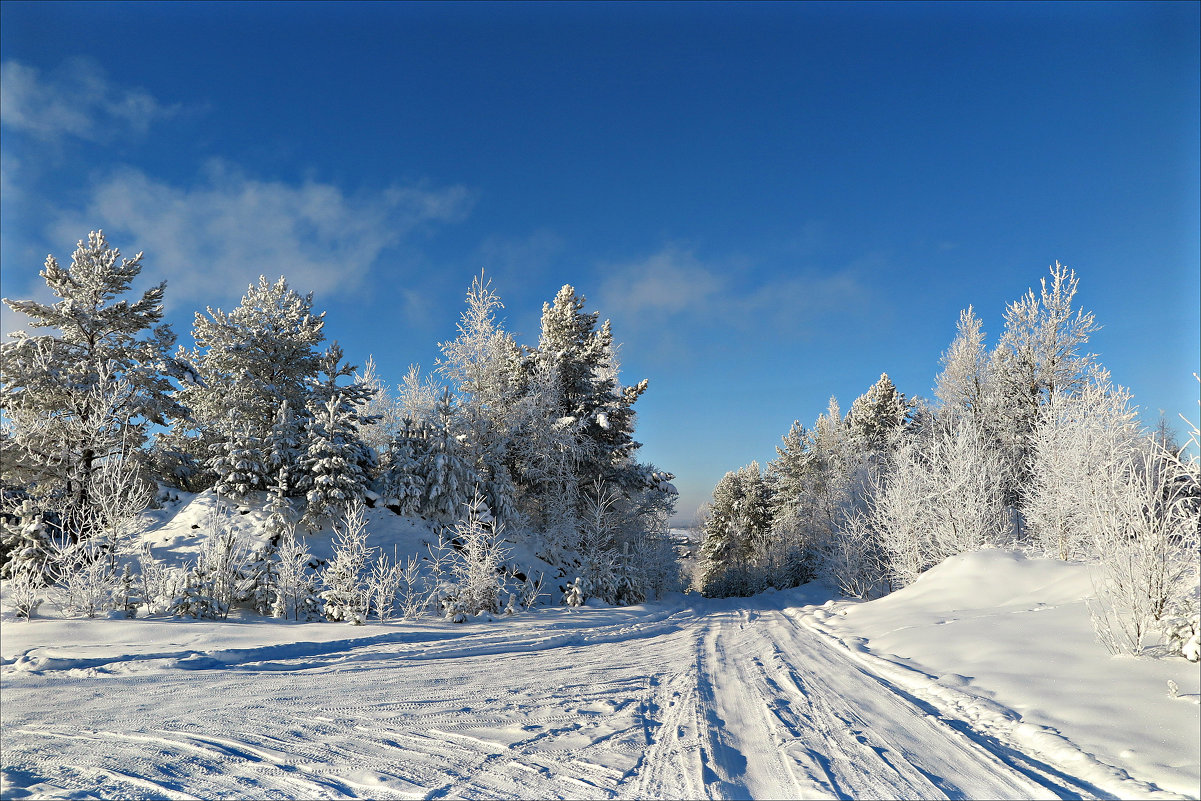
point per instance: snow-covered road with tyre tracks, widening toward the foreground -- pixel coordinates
(734, 698)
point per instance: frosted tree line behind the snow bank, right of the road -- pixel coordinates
(1027, 444)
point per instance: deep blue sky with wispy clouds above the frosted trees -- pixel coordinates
(774, 204)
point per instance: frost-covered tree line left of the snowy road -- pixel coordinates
(104, 414)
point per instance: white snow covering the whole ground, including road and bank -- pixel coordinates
(982, 680)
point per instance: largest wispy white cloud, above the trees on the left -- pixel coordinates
(212, 240)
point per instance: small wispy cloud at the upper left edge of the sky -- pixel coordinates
(76, 100)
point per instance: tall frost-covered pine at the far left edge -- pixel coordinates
(57, 390)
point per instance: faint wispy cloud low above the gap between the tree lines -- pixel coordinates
(666, 300)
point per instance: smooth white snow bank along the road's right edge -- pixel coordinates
(1007, 642)
